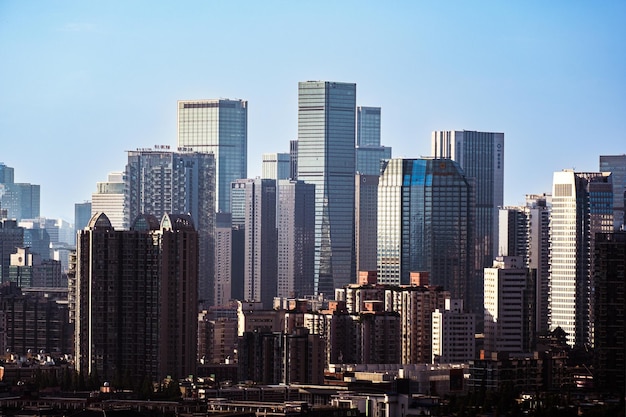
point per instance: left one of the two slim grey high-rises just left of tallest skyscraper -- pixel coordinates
(260, 245)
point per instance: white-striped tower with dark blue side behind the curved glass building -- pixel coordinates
(481, 156)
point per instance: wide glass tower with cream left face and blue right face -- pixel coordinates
(219, 127)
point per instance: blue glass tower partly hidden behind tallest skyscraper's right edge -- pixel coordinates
(369, 152)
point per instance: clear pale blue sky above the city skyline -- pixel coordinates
(81, 82)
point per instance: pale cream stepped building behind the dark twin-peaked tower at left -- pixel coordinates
(109, 199)
